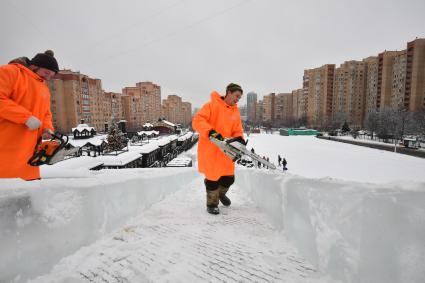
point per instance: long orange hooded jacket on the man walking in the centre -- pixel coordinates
(226, 120)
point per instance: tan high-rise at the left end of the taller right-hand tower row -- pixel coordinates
(318, 86)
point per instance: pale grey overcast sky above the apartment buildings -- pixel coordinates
(191, 47)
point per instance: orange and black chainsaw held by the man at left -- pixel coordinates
(51, 151)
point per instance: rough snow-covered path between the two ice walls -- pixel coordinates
(176, 240)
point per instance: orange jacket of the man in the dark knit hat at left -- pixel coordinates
(22, 94)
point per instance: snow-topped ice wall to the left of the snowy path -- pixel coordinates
(43, 221)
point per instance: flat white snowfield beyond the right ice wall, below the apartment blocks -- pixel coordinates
(310, 157)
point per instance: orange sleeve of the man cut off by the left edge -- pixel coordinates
(9, 109)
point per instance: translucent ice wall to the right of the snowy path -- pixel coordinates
(354, 232)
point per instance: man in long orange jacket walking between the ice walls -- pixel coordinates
(221, 119)
